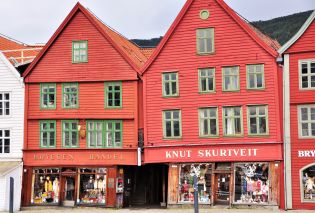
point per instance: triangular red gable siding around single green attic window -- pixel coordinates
(104, 62)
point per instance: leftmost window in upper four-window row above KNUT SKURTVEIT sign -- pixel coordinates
(170, 84)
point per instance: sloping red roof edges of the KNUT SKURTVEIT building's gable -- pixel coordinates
(263, 40)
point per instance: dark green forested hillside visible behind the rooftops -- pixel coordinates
(280, 29)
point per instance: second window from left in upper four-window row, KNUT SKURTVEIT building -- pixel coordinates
(206, 80)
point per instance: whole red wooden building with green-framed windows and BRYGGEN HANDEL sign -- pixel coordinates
(81, 124)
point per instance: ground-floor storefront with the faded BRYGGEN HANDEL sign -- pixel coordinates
(88, 178)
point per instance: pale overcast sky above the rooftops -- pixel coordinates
(34, 21)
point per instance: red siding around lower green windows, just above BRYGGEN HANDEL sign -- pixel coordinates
(33, 142)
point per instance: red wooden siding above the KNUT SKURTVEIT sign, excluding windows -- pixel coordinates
(233, 47)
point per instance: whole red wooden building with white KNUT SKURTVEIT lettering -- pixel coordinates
(212, 108)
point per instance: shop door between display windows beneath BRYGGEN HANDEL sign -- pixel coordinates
(68, 190)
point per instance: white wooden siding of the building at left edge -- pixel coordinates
(11, 83)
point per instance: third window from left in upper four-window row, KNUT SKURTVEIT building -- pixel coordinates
(231, 79)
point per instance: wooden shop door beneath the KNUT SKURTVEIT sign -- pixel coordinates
(222, 189)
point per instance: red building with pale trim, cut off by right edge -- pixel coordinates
(299, 122)
